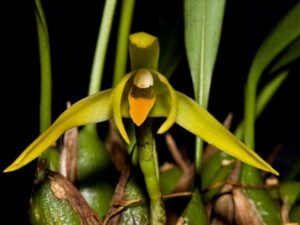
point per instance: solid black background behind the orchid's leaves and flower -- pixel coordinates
(73, 27)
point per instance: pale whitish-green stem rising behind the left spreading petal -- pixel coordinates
(102, 43)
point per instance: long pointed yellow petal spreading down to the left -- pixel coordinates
(92, 109)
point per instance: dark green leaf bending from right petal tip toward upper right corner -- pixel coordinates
(286, 31)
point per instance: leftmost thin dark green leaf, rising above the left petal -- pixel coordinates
(45, 65)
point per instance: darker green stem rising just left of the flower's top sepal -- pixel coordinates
(122, 44)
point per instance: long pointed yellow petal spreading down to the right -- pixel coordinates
(201, 123)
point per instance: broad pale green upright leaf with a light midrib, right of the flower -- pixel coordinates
(203, 22)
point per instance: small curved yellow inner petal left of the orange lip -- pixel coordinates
(118, 94)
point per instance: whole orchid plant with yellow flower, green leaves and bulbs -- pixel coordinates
(139, 97)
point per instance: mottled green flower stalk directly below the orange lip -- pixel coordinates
(150, 169)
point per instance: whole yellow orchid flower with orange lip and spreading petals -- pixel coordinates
(142, 93)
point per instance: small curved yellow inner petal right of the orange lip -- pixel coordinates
(171, 118)
